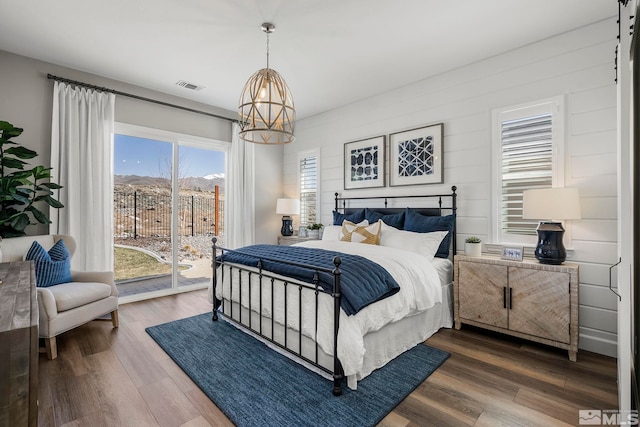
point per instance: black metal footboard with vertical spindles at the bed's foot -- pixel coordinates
(266, 279)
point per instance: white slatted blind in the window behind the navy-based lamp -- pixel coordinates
(527, 163)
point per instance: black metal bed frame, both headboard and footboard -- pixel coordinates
(335, 293)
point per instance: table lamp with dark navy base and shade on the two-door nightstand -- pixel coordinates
(556, 204)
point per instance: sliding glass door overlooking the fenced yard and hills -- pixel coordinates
(168, 205)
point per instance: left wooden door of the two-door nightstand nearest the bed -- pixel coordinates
(482, 292)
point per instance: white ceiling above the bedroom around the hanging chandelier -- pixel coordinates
(330, 52)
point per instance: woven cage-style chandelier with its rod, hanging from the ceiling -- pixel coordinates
(266, 110)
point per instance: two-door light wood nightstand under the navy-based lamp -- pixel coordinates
(526, 299)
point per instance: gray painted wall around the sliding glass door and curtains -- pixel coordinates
(26, 102)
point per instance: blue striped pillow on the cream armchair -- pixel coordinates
(53, 267)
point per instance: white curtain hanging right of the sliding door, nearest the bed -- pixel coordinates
(240, 215)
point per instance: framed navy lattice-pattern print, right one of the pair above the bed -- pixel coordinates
(416, 156)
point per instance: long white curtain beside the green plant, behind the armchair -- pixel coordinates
(82, 161)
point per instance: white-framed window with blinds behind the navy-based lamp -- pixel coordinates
(528, 154)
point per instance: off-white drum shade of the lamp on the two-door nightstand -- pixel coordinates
(551, 203)
